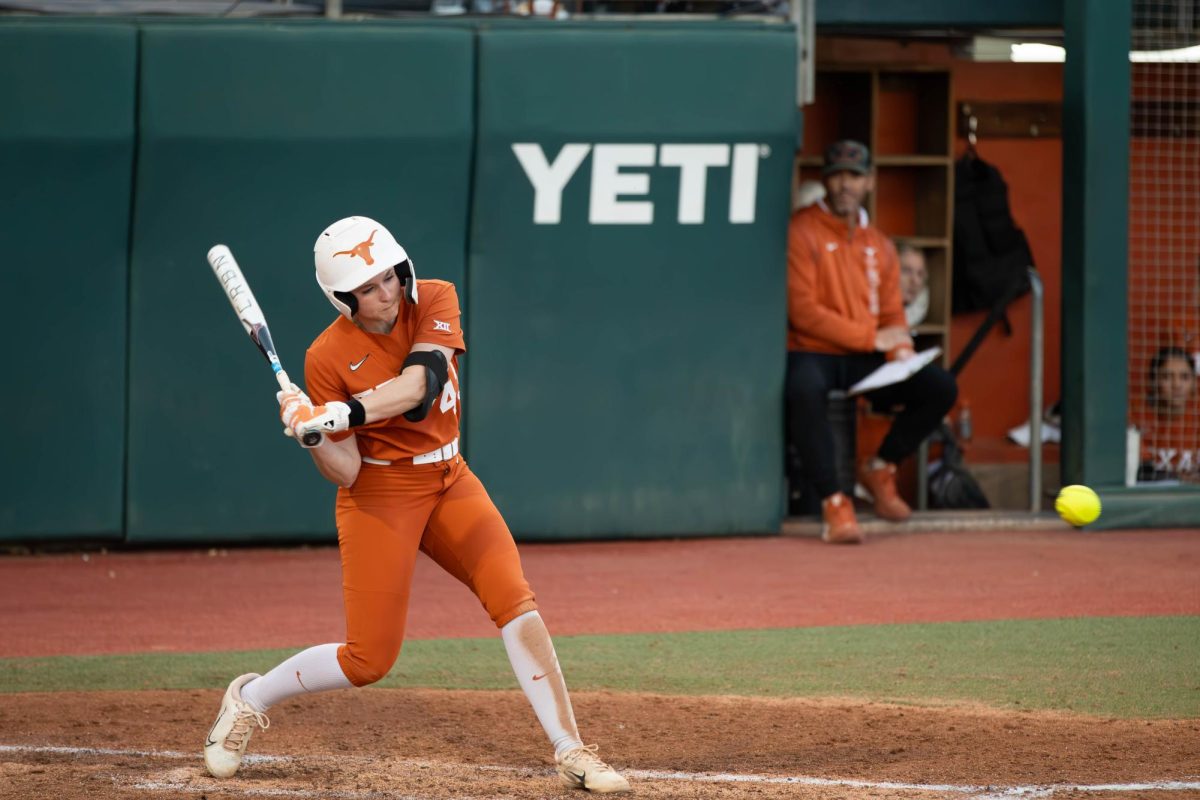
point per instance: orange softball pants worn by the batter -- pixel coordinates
(389, 515)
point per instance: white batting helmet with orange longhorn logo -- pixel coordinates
(351, 252)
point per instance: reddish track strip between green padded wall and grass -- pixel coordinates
(184, 600)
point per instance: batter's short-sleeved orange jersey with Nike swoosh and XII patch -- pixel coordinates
(347, 362)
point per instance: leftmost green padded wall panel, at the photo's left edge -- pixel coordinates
(67, 167)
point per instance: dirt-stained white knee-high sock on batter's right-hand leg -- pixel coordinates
(533, 659)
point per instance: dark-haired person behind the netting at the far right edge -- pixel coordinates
(1169, 422)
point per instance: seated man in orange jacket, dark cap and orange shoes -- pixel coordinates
(845, 320)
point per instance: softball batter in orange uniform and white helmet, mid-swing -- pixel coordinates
(386, 396)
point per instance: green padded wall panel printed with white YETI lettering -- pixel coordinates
(626, 334)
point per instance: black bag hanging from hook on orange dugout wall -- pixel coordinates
(992, 255)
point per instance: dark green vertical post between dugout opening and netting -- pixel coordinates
(1096, 243)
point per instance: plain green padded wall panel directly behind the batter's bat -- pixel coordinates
(259, 136)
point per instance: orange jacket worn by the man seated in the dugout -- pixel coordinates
(843, 285)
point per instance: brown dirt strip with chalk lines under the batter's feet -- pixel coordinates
(429, 744)
